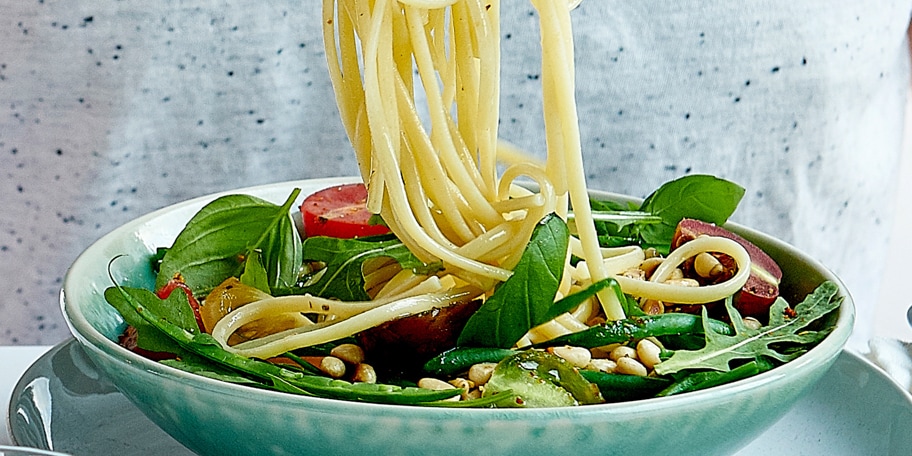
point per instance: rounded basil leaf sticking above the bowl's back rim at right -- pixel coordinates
(698, 196)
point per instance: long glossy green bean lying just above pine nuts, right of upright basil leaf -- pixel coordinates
(635, 328)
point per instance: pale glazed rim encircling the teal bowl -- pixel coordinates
(91, 338)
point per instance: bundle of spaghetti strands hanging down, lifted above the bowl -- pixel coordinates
(437, 185)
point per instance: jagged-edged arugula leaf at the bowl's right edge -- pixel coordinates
(782, 339)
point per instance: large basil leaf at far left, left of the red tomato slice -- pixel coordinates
(216, 241)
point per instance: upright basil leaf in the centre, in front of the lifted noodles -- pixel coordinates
(523, 300)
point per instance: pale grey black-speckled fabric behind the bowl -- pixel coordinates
(109, 110)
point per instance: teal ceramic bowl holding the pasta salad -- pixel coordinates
(216, 418)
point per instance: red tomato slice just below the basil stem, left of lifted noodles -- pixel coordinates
(339, 212)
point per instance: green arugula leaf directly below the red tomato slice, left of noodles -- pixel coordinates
(342, 277)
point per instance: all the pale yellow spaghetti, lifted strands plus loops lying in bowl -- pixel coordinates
(435, 180)
